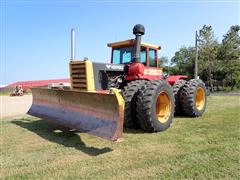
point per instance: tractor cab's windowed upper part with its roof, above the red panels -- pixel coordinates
(123, 52)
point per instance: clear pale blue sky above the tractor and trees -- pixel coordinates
(35, 35)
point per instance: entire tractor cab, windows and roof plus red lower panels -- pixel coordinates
(147, 64)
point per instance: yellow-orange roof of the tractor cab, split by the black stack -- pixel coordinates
(130, 42)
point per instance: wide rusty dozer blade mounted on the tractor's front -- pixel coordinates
(100, 114)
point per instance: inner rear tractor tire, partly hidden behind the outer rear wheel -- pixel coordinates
(177, 87)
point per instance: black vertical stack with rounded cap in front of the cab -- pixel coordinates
(138, 31)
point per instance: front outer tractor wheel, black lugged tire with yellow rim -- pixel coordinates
(155, 106)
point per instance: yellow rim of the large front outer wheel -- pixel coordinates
(163, 107)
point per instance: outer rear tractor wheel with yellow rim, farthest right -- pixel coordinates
(193, 98)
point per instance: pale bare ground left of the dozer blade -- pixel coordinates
(17, 105)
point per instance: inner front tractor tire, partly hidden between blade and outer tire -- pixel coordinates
(130, 93)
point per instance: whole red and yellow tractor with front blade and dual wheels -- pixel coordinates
(129, 91)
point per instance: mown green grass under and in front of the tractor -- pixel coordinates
(205, 147)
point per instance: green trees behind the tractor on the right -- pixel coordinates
(218, 62)
